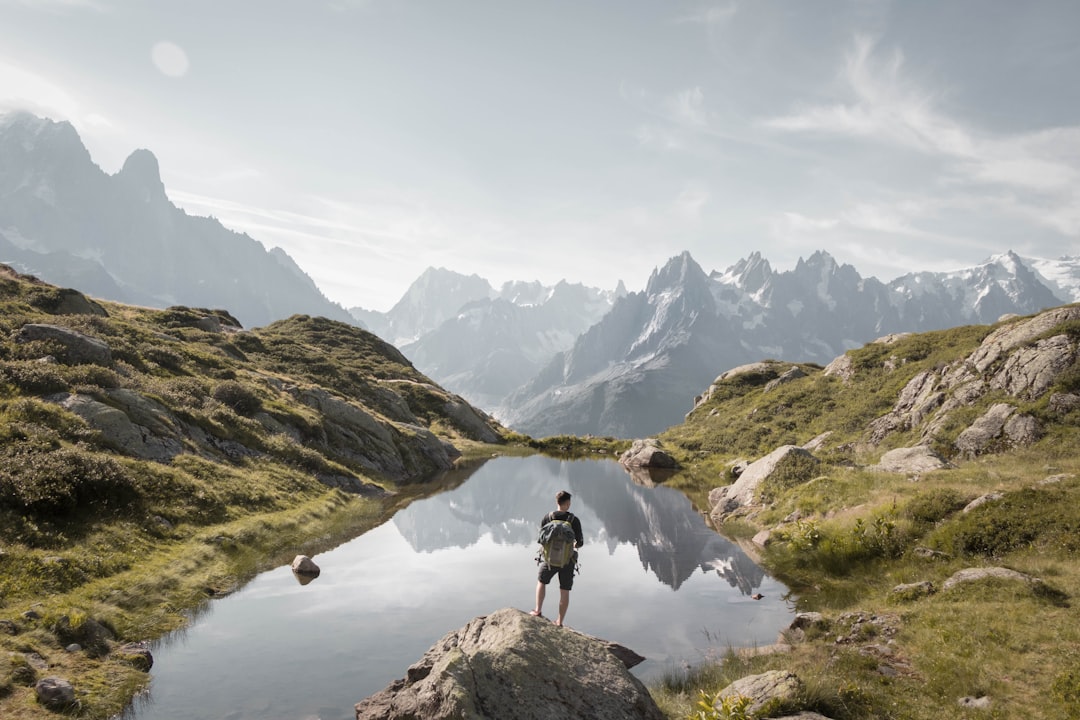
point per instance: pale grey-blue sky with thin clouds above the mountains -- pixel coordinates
(580, 140)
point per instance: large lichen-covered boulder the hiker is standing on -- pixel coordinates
(512, 665)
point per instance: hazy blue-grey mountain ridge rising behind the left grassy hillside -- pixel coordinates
(120, 238)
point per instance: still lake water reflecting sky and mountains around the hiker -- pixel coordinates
(653, 578)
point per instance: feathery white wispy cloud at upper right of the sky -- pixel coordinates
(1034, 176)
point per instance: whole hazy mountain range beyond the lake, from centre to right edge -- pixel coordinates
(633, 362)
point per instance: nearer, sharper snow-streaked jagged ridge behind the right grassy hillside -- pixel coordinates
(638, 371)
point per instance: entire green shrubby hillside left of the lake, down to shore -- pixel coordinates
(152, 459)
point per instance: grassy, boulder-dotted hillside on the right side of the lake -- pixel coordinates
(856, 544)
